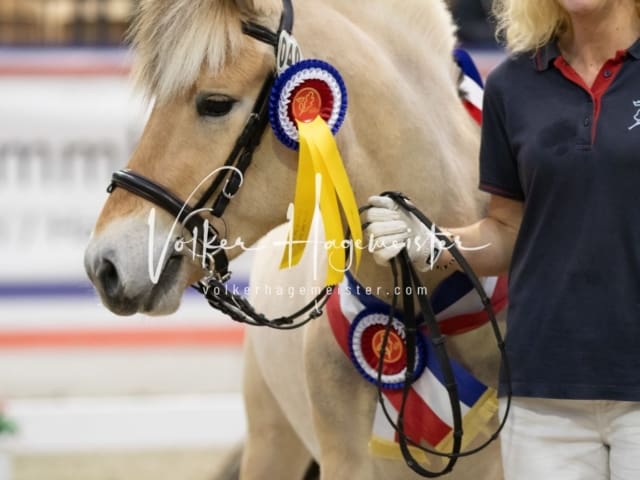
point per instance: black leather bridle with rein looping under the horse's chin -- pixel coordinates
(226, 184)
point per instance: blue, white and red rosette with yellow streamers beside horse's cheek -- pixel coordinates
(307, 107)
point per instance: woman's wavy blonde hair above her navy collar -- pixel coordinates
(525, 25)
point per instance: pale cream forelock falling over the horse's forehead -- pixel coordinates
(173, 40)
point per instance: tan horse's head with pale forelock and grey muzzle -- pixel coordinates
(205, 75)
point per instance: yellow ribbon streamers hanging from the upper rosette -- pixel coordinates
(319, 155)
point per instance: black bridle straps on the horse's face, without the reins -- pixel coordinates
(228, 180)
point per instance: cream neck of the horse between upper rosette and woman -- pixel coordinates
(406, 129)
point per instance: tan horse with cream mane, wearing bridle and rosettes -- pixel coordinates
(405, 129)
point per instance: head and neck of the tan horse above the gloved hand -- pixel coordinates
(208, 65)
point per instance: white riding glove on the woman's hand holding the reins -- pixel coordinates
(391, 229)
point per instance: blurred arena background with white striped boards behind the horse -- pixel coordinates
(88, 395)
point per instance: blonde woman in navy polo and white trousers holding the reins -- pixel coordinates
(560, 157)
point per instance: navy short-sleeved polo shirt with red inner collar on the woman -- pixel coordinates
(572, 154)
